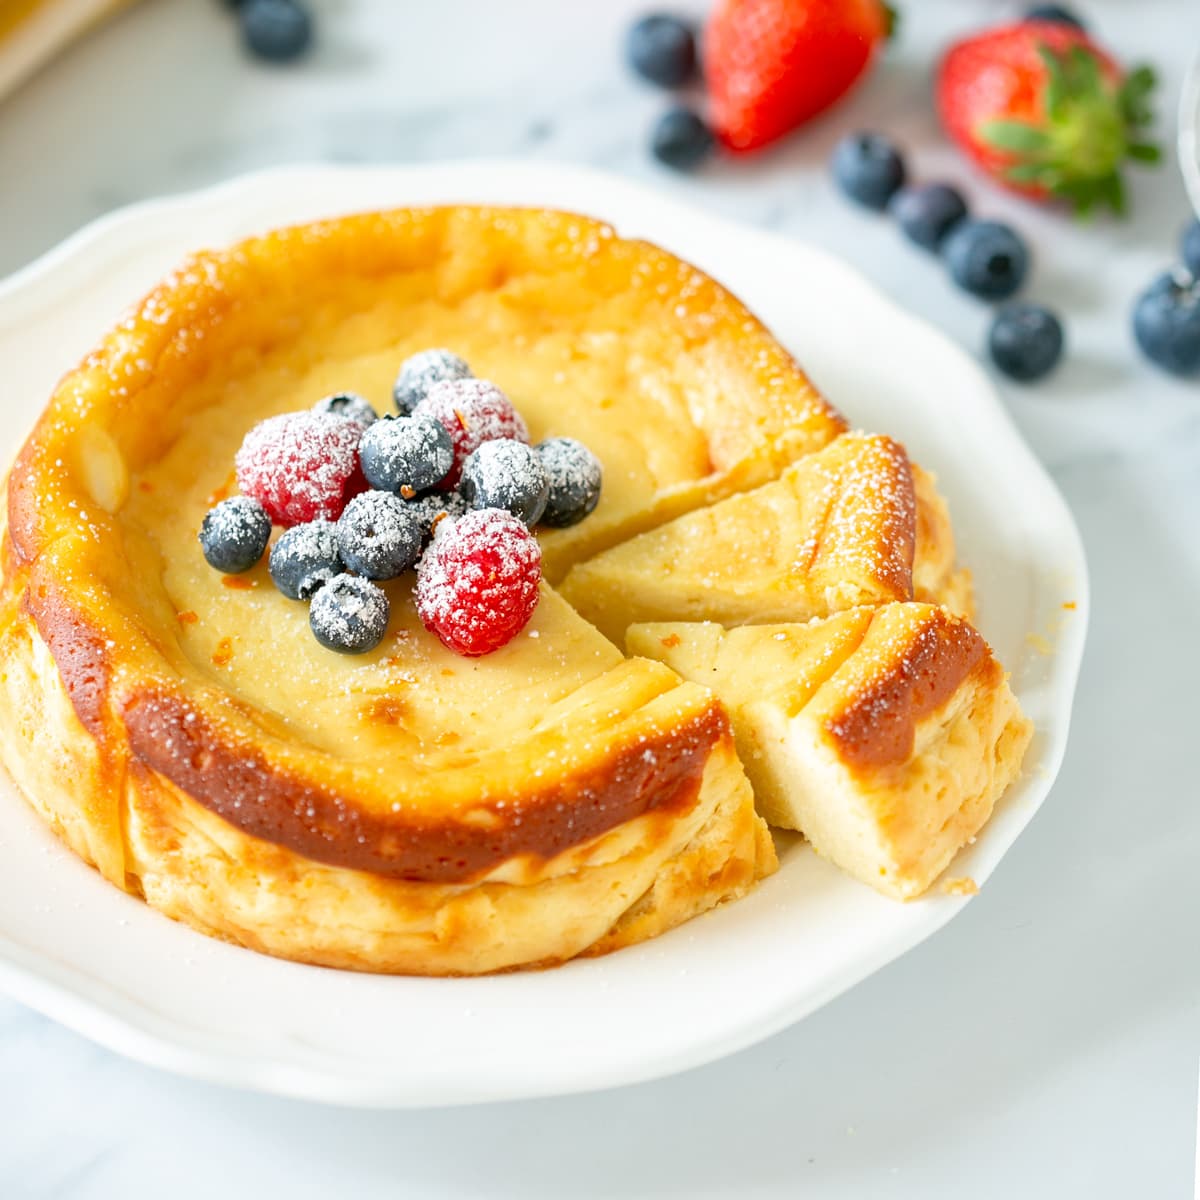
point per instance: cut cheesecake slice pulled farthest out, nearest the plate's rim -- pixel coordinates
(884, 735)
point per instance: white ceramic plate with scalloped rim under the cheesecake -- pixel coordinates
(112, 969)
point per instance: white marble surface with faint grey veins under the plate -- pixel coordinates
(1046, 1045)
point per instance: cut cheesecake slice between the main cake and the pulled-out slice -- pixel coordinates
(853, 525)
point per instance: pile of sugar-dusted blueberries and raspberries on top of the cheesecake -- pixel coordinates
(449, 484)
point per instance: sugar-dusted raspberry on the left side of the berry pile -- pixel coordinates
(302, 466)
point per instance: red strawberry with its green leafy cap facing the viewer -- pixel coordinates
(1048, 113)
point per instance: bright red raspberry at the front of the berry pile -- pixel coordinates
(477, 585)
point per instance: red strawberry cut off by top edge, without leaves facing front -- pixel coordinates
(771, 65)
